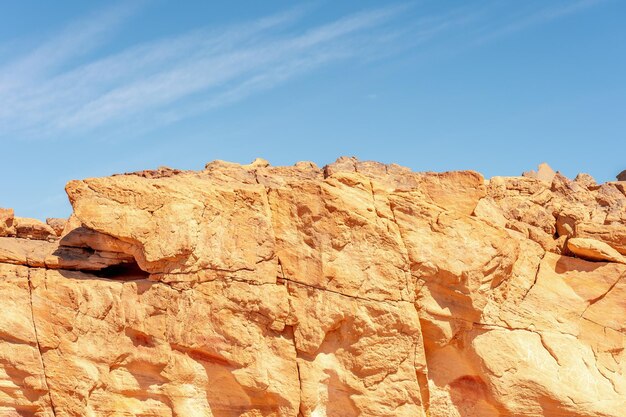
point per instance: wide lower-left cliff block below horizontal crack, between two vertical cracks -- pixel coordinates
(143, 348)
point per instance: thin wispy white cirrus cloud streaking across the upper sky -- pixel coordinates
(56, 90)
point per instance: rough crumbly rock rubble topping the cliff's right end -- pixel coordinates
(561, 209)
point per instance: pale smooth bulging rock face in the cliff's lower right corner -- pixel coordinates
(548, 351)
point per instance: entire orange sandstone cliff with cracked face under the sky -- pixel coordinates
(359, 289)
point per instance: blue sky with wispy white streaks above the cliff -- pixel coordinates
(95, 88)
